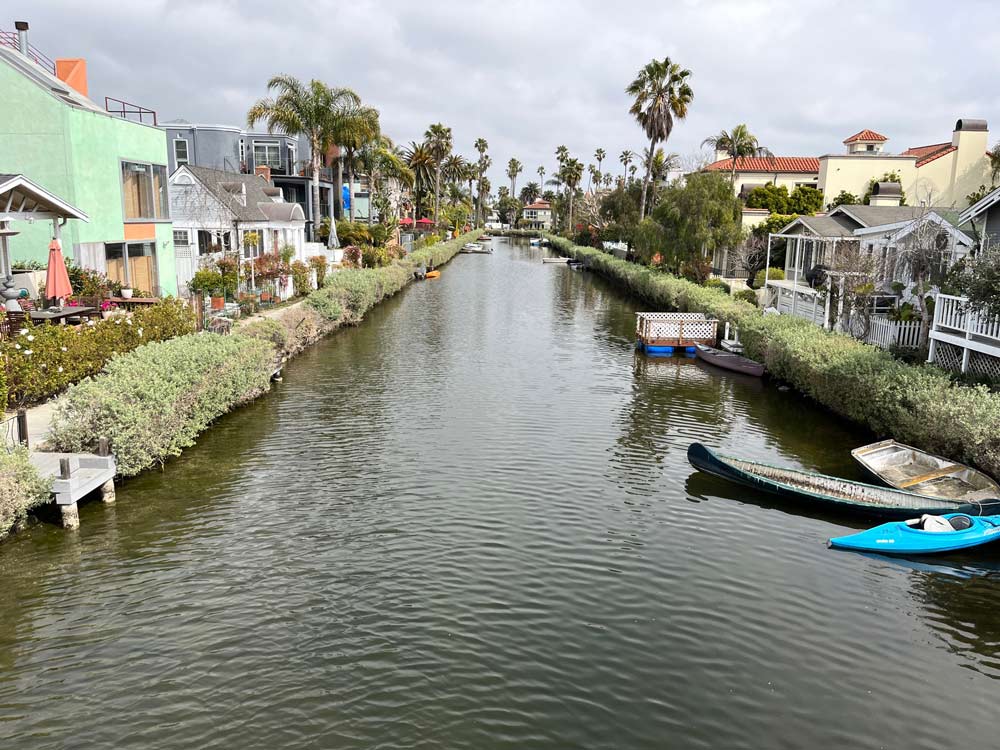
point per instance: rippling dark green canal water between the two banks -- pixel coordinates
(470, 523)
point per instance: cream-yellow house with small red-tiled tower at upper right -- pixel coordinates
(939, 174)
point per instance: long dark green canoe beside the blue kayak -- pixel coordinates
(832, 493)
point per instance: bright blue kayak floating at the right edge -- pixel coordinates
(924, 536)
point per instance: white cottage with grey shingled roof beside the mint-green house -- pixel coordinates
(213, 211)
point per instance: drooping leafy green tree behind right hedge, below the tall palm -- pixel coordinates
(698, 218)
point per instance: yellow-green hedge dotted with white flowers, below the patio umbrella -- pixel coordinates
(42, 360)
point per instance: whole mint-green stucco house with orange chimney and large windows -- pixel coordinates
(113, 169)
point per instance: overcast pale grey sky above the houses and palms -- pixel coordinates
(528, 76)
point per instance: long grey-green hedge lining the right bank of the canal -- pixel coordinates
(916, 404)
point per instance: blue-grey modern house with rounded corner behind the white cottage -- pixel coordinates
(232, 149)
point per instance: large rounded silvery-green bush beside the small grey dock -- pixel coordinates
(152, 402)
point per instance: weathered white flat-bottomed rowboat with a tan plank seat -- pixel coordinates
(907, 468)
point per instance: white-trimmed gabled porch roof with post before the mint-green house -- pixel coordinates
(23, 200)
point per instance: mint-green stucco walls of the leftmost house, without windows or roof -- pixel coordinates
(76, 154)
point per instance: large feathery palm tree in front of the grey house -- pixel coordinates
(313, 110)
